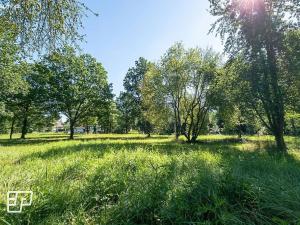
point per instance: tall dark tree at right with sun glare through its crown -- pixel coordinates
(255, 29)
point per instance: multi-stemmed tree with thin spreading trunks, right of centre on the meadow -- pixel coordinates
(187, 76)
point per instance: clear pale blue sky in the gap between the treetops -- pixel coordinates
(128, 29)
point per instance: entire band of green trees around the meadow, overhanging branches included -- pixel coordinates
(254, 87)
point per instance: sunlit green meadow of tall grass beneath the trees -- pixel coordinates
(129, 179)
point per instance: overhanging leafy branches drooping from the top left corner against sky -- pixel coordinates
(43, 24)
